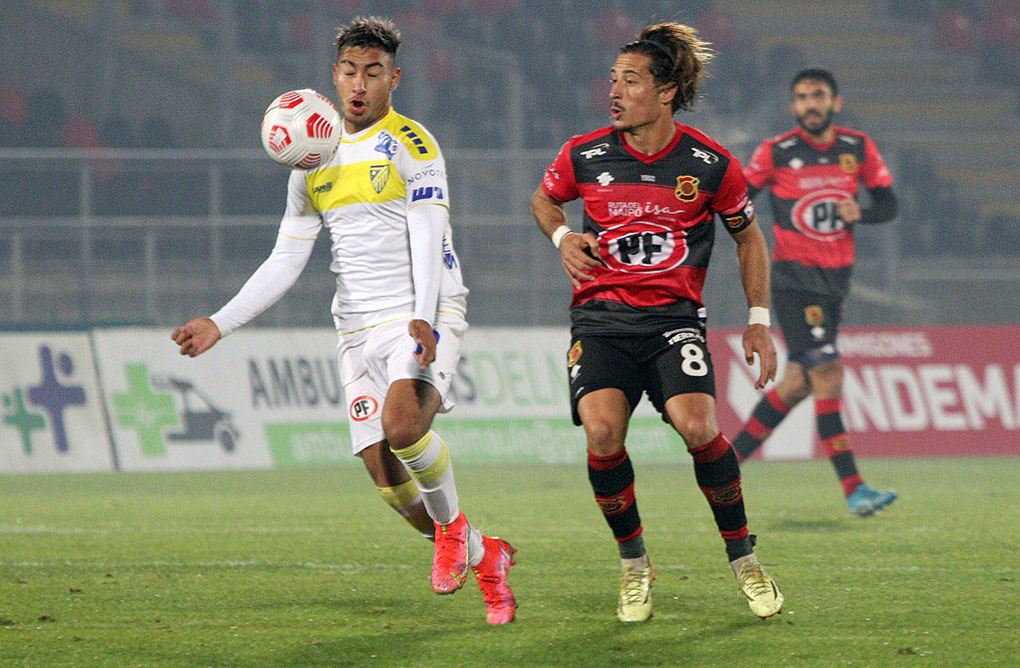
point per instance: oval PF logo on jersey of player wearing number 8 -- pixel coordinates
(643, 247)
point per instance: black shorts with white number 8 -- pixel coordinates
(671, 364)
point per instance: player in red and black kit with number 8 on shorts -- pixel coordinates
(652, 191)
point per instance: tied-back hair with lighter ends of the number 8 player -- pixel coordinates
(679, 58)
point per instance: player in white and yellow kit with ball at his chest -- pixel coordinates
(399, 306)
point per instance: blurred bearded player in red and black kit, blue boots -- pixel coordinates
(812, 174)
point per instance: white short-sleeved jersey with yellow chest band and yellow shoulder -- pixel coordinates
(363, 197)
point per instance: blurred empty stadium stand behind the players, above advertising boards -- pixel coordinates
(502, 83)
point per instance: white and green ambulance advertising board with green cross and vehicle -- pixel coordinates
(264, 399)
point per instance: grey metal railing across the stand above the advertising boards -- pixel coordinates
(158, 237)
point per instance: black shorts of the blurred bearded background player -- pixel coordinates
(810, 324)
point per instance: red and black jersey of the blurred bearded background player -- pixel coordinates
(814, 248)
